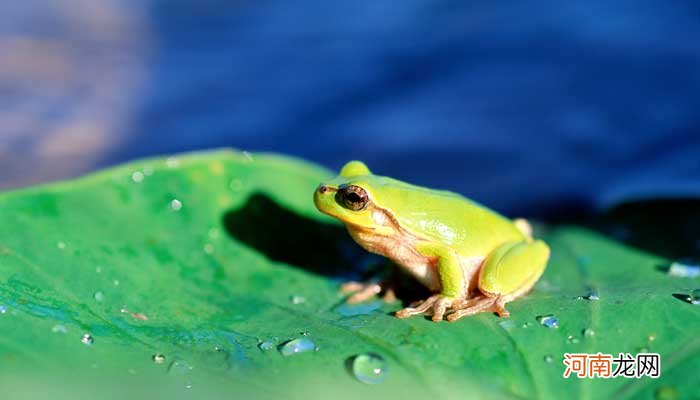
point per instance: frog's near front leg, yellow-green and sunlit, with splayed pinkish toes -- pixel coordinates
(452, 283)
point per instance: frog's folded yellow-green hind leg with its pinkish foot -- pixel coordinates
(508, 272)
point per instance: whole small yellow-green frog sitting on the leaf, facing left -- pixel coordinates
(472, 259)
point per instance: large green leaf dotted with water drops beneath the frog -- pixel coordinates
(190, 275)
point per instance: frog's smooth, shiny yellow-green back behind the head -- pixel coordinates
(445, 217)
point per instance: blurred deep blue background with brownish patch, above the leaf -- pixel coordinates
(547, 109)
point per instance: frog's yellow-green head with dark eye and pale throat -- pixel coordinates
(350, 198)
